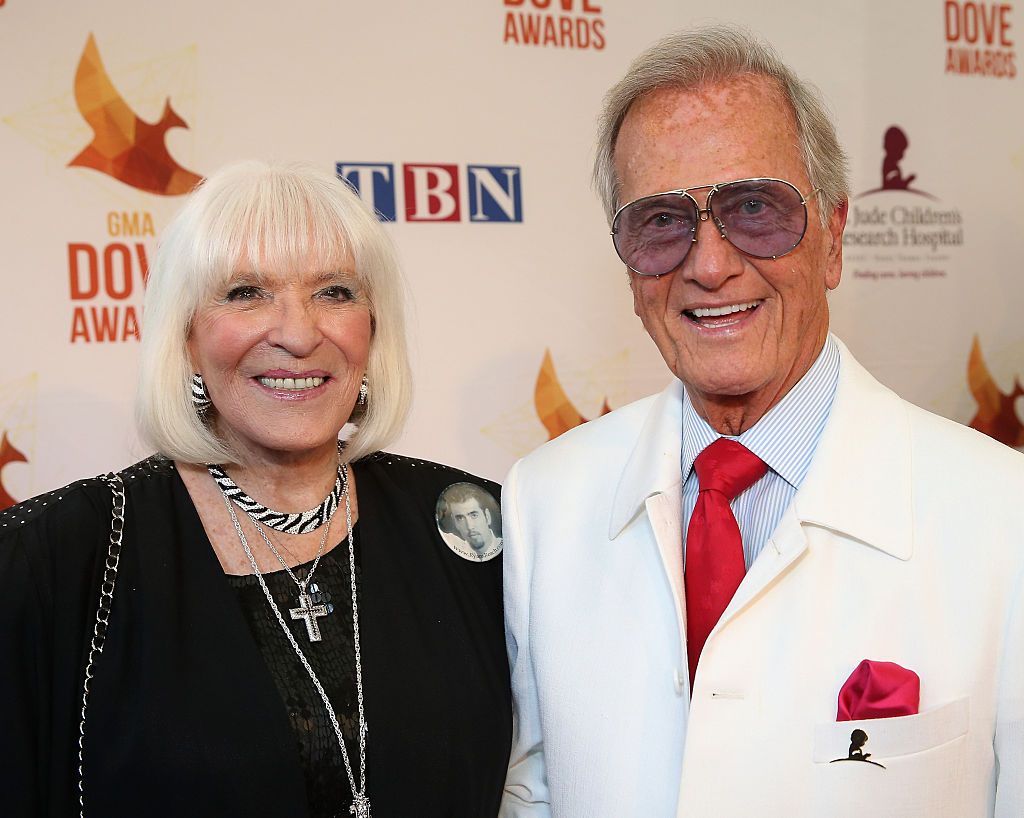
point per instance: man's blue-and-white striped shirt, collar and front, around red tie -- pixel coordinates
(785, 439)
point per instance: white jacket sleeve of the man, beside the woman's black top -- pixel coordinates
(527, 783)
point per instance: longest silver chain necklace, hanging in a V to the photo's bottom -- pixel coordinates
(361, 802)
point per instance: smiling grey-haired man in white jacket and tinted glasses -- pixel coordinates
(775, 589)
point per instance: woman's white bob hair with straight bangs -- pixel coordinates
(255, 212)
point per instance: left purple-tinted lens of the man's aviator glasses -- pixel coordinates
(654, 235)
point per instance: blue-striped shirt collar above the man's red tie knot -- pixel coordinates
(787, 437)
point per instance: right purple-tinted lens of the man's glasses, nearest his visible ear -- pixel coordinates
(761, 218)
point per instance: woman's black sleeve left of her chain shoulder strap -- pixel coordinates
(50, 571)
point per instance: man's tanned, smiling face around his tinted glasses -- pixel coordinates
(737, 131)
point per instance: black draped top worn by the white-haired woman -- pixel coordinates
(185, 716)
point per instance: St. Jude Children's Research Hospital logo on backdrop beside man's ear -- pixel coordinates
(899, 230)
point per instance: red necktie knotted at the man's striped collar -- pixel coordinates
(714, 548)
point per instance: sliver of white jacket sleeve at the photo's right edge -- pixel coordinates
(1010, 716)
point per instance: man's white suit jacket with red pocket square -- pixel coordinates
(905, 544)
